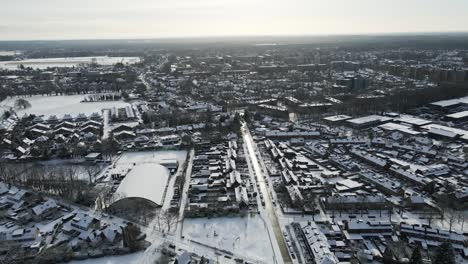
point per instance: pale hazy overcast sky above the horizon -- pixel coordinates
(117, 19)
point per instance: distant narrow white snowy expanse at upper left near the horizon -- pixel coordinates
(67, 62)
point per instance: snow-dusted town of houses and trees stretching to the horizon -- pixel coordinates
(288, 152)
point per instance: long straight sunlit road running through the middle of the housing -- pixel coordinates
(269, 207)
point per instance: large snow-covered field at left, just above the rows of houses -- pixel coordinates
(60, 105)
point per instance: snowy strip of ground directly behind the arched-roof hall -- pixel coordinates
(151, 156)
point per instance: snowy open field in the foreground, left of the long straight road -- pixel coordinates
(247, 236)
